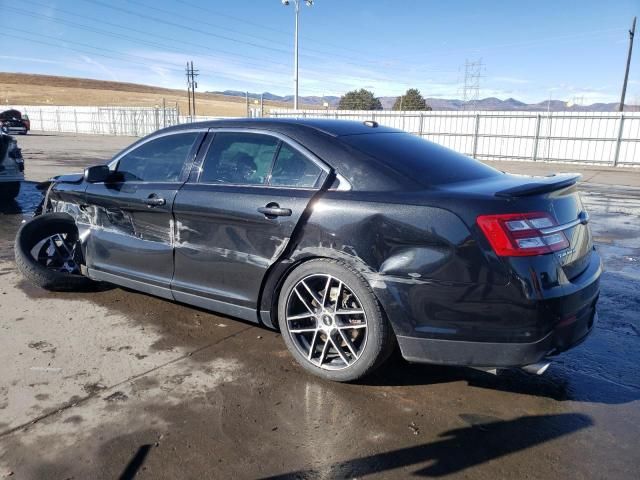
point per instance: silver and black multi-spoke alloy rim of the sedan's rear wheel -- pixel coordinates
(326, 321)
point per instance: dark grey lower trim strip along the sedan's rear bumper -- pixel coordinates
(488, 354)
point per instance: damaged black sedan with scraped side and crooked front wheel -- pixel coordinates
(351, 238)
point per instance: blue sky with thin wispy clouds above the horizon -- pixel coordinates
(530, 50)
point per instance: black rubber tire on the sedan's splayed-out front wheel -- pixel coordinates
(35, 231)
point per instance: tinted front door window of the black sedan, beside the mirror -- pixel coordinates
(159, 160)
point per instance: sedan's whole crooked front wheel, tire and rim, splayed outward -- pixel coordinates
(49, 255)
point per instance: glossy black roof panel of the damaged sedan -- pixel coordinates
(331, 127)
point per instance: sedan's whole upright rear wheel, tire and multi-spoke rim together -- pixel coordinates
(331, 321)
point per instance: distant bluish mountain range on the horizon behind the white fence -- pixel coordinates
(490, 103)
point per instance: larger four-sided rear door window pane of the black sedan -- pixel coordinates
(239, 158)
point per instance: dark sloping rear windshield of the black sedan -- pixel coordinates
(413, 157)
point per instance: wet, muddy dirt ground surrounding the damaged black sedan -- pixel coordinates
(117, 384)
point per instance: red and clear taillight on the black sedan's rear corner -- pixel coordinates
(520, 235)
